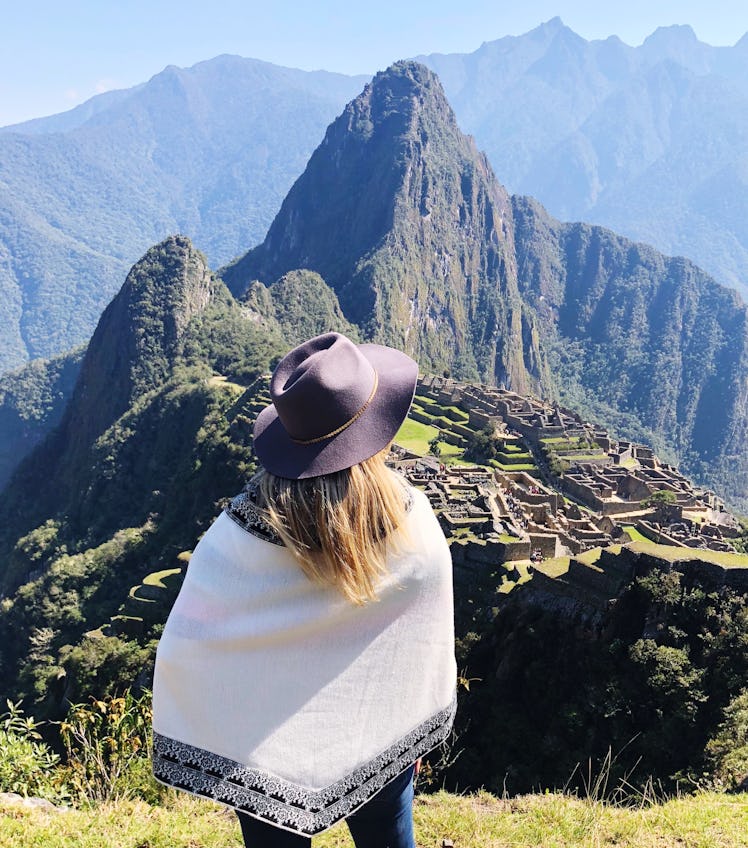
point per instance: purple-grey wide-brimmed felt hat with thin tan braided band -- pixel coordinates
(335, 404)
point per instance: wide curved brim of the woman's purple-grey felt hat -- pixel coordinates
(370, 433)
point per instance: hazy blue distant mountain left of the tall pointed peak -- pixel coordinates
(209, 151)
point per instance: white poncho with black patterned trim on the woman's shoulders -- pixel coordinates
(280, 698)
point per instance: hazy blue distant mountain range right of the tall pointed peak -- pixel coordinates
(645, 140)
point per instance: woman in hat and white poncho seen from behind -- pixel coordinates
(308, 661)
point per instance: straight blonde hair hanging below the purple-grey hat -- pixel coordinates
(339, 526)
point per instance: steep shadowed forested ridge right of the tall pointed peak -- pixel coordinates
(638, 338)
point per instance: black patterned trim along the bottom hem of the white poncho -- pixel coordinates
(281, 802)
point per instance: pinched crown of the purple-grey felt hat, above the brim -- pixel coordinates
(321, 386)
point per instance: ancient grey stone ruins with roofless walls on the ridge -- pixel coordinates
(504, 516)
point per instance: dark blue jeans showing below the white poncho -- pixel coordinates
(386, 821)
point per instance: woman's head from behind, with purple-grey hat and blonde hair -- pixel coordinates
(336, 409)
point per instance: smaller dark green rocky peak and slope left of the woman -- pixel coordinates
(151, 439)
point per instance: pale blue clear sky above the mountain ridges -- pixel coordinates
(54, 55)
